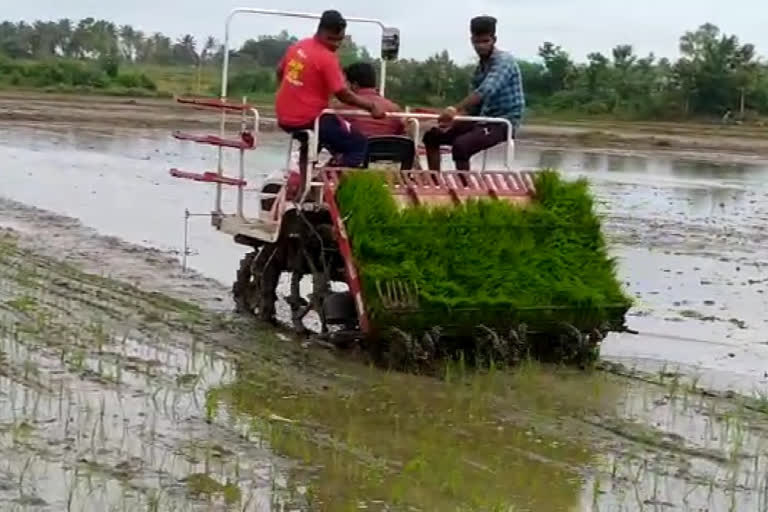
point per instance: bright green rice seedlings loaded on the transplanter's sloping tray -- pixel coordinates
(484, 262)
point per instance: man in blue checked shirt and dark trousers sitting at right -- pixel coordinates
(497, 92)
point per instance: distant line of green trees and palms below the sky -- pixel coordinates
(715, 75)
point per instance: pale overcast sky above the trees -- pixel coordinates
(580, 26)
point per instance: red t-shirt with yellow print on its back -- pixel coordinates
(311, 75)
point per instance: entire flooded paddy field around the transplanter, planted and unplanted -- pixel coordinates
(126, 384)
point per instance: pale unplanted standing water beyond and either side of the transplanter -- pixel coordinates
(690, 235)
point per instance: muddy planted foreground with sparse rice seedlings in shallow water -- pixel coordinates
(114, 398)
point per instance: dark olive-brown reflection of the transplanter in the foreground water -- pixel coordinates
(373, 440)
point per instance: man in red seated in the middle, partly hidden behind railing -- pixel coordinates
(361, 77)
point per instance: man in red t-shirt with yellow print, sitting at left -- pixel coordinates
(309, 74)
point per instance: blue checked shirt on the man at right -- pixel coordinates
(501, 86)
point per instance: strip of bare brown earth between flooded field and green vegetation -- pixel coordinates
(31, 108)
